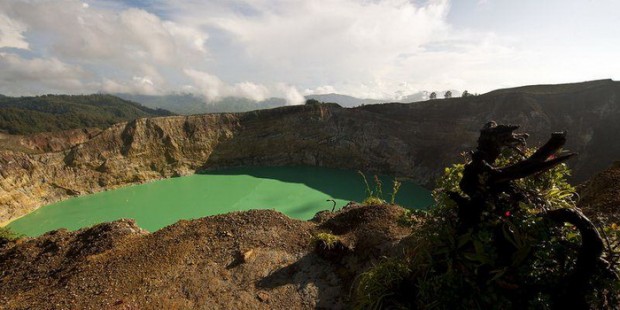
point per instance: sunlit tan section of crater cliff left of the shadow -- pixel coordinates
(123, 154)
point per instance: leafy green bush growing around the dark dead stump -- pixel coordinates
(442, 268)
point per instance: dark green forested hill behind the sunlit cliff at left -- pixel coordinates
(26, 115)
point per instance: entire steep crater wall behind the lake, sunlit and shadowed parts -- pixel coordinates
(410, 140)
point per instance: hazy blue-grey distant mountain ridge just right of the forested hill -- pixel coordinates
(188, 104)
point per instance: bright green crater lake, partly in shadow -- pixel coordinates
(299, 192)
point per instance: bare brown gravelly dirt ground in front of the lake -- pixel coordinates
(257, 259)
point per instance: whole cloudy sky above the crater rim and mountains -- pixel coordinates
(381, 49)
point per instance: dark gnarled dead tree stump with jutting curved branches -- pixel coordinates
(483, 183)
